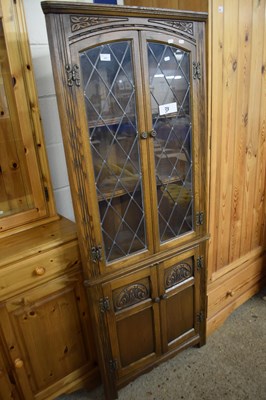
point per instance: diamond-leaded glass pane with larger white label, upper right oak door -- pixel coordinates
(169, 75)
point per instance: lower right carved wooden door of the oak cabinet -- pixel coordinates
(179, 280)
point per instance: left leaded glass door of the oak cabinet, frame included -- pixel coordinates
(111, 103)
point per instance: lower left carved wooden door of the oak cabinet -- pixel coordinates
(133, 321)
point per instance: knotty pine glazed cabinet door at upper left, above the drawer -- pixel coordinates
(24, 176)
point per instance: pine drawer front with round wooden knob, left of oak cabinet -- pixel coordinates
(38, 269)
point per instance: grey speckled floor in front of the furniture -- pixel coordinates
(232, 365)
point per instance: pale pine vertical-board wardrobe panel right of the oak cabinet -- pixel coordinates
(237, 168)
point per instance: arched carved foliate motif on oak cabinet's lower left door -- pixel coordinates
(131, 295)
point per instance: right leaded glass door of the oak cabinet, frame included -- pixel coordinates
(173, 137)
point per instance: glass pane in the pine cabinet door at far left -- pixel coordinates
(15, 189)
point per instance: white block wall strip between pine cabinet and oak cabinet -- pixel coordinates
(47, 100)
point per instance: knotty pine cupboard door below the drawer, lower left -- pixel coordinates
(45, 330)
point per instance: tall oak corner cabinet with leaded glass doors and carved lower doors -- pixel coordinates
(130, 84)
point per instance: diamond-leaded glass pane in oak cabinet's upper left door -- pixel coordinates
(109, 95)
